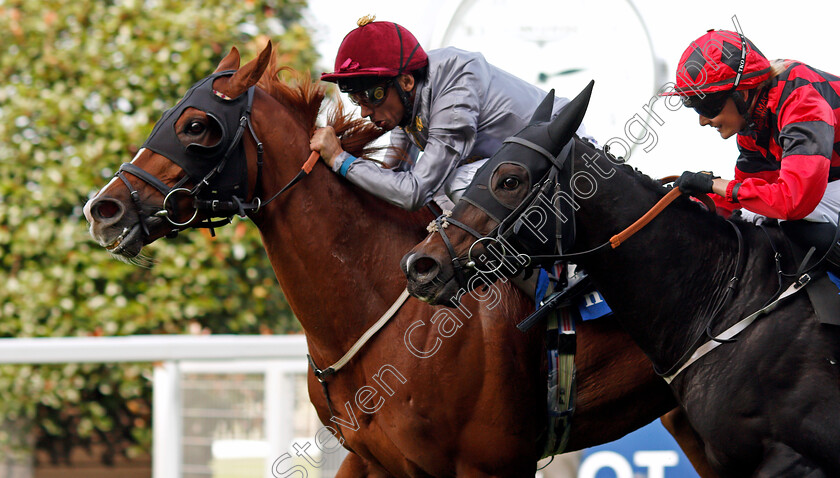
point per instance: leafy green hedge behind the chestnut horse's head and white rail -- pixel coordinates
(82, 84)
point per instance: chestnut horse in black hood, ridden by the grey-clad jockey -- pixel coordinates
(428, 395)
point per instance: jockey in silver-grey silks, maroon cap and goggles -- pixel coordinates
(449, 104)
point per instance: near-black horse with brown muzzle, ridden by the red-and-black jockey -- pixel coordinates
(765, 404)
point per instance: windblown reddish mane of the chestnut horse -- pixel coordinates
(303, 98)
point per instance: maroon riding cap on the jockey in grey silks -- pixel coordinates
(377, 49)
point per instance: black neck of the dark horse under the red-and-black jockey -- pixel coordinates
(665, 280)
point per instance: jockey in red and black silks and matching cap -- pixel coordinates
(786, 115)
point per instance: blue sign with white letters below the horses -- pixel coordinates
(648, 452)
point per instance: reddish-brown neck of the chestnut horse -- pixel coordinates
(335, 250)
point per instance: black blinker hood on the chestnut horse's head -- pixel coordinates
(198, 160)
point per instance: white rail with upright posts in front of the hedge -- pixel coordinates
(278, 357)
